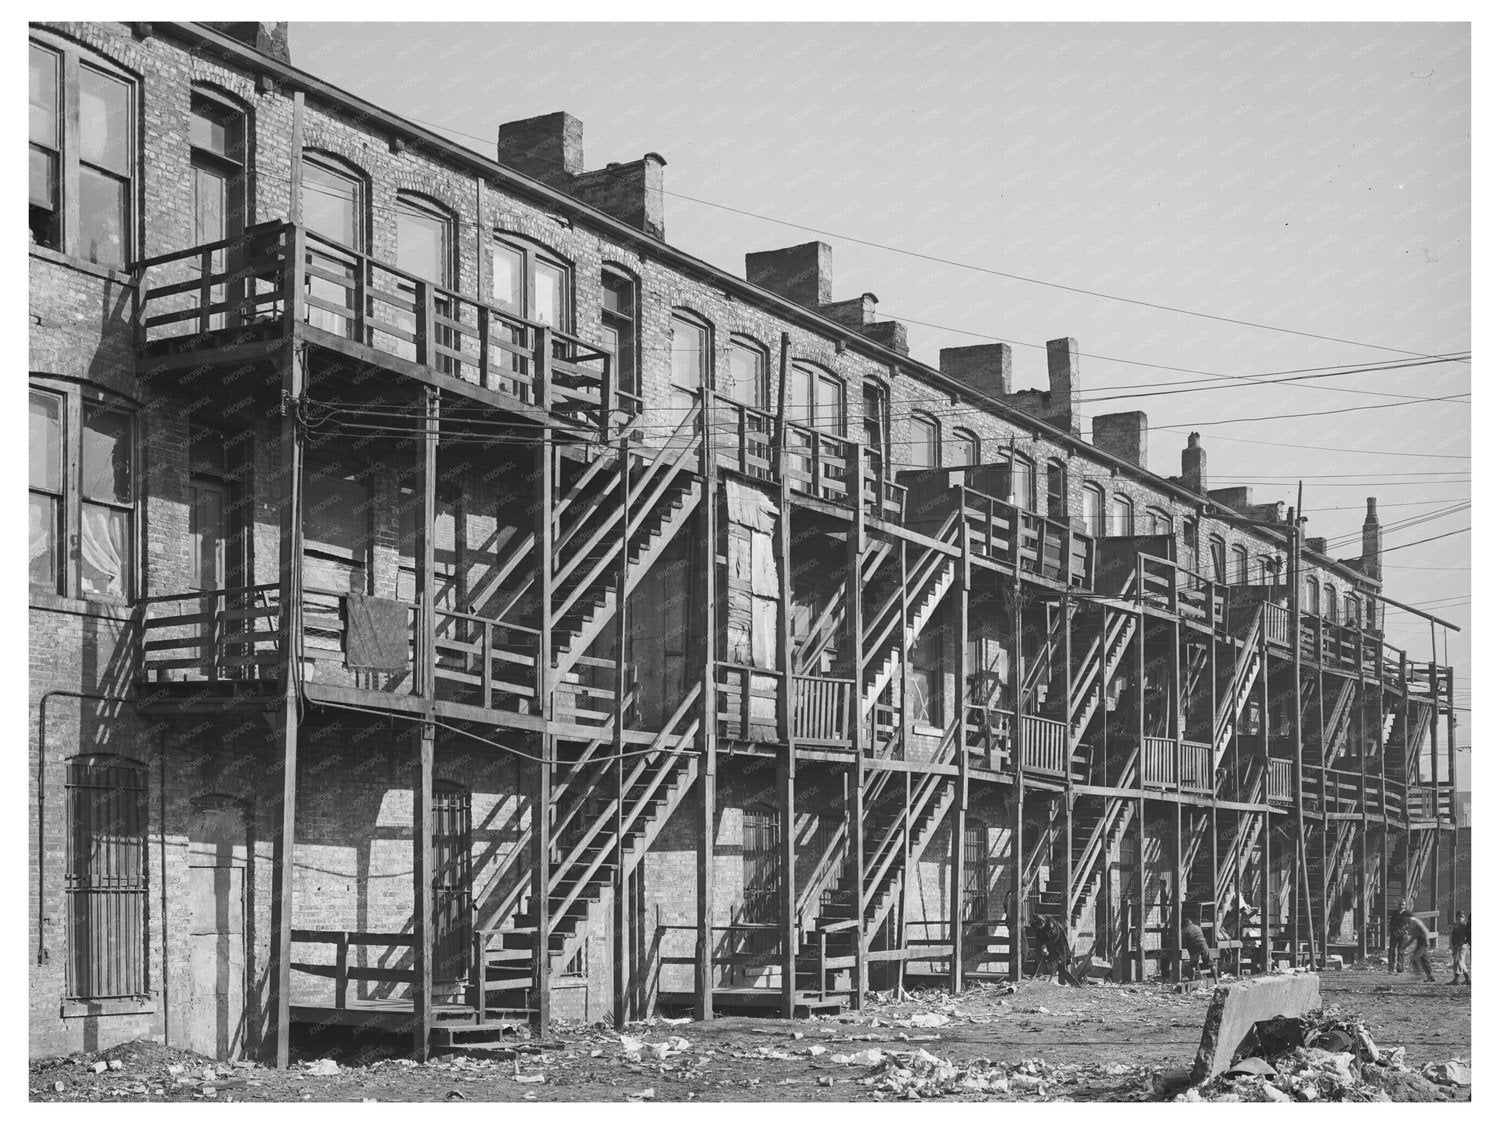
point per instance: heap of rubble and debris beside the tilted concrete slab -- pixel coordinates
(1327, 1060)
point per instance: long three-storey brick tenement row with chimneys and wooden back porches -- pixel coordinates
(451, 604)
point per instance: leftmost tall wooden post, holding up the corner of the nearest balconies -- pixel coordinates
(284, 831)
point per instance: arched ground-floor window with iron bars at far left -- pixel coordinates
(106, 882)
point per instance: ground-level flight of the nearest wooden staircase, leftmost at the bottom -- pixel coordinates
(586, 846)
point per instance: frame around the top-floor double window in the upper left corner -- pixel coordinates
(68, 217)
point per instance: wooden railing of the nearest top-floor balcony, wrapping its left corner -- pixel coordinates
(248, 281)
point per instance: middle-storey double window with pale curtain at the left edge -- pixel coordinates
(104, 514)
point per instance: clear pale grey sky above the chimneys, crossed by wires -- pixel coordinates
(1307, 176)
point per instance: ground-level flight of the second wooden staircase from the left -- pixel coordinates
(892, 823)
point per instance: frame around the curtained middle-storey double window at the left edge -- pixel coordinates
(77, 400)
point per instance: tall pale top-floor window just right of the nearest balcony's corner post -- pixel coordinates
(334, 211)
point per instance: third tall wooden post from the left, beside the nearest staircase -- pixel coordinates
(547, 742)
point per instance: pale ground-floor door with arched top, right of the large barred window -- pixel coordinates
(218, 853)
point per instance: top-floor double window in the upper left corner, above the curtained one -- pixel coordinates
(82, 133)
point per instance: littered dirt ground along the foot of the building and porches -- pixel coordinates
(1093, 1044)
